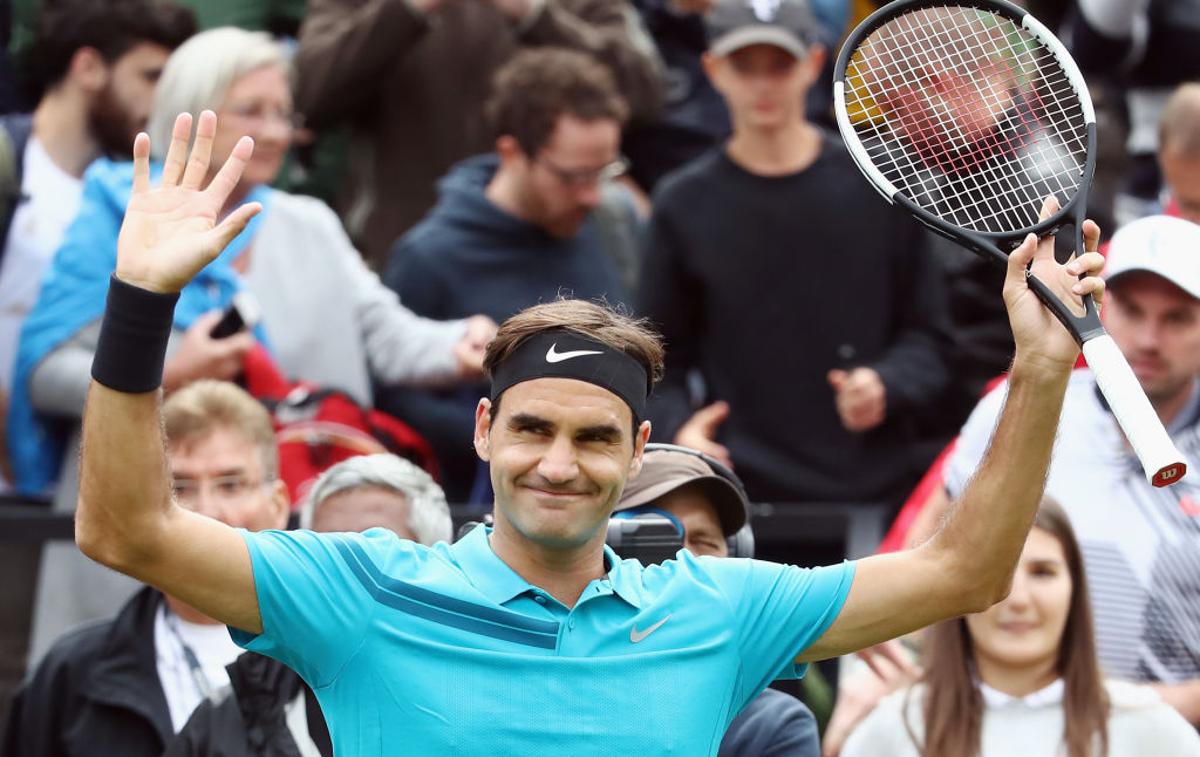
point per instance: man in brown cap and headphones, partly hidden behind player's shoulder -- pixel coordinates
(711, 507)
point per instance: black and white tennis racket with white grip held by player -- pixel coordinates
(969, 116)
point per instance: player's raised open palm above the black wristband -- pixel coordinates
(171, 232)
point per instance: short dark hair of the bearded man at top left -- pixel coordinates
(110, 27)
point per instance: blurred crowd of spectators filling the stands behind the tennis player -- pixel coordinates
(670, 158)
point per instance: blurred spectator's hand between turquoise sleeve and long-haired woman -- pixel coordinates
(889, 670)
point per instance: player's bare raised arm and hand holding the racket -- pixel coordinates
(969, 564)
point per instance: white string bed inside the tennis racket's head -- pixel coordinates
(969, 115)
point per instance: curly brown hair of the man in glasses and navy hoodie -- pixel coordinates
(538, 86)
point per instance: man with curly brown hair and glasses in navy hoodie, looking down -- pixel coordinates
(538, 218)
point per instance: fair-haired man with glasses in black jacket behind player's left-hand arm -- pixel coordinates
(128, 686)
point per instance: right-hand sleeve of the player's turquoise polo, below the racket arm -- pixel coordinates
(779, 611)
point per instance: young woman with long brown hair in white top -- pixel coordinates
(1022, 680)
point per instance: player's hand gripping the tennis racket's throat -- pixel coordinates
(1040, 338)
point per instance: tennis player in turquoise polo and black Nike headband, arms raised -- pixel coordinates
(530, 636)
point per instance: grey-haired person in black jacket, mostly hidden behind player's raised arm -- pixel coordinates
(272, 713)
